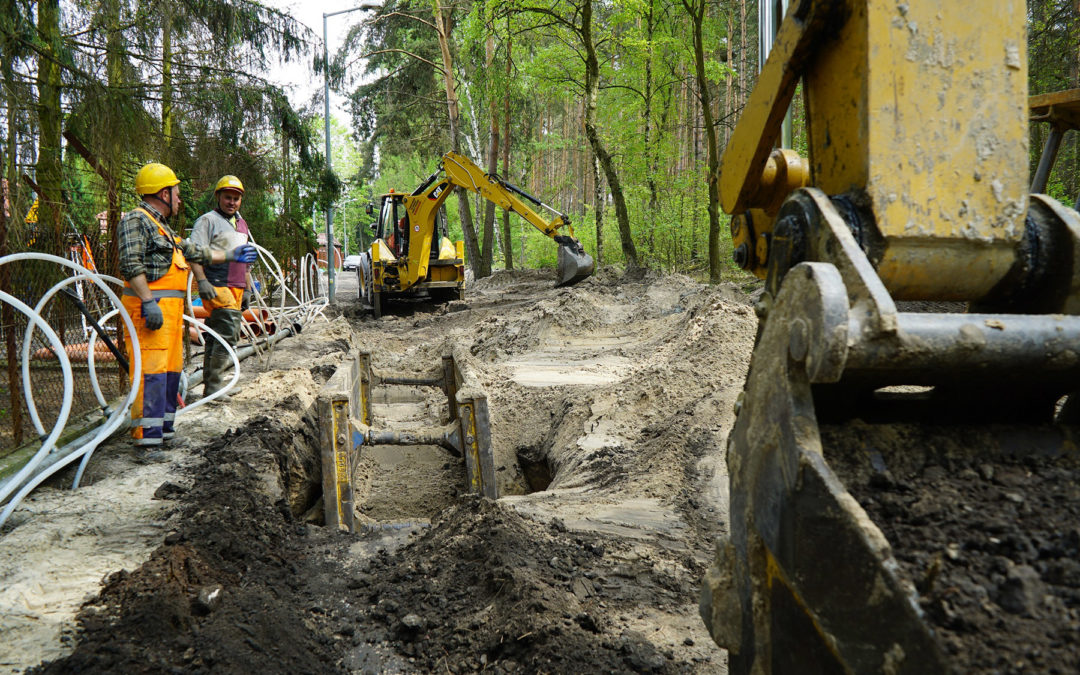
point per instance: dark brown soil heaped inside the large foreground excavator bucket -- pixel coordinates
(987, 528)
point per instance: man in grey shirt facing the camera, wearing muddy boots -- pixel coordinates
(222, 287)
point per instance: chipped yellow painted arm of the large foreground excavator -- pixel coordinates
(917, 113)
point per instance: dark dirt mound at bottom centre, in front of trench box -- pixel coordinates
(488, 590)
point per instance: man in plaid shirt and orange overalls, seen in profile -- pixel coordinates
(155, 264)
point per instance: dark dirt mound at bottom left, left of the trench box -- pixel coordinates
(221, 595)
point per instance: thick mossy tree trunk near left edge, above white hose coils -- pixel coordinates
(49, 171)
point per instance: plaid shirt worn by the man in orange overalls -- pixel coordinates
(145, 251)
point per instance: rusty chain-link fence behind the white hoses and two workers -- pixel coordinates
(89, 240)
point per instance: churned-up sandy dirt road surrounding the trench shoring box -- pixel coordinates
(611, 403)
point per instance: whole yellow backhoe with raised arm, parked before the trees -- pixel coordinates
(403, 261)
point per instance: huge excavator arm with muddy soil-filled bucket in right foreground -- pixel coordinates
(914, 198)
